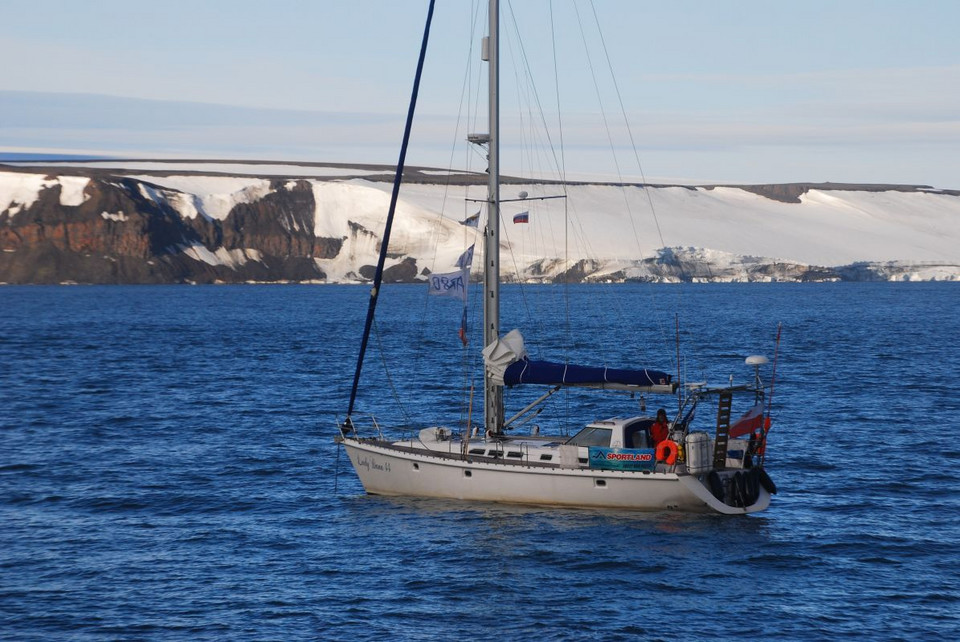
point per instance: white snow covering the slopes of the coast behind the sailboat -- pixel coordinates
(611, 225)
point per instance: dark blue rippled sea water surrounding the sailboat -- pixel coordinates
(168, 470)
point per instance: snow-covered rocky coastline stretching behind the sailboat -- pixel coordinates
(175, 222)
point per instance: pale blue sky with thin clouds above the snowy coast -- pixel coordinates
(739, 91)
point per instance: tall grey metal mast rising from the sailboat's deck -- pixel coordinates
(493, 394)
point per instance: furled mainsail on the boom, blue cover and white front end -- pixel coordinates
(508, 364)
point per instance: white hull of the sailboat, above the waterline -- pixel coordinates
(386, 470)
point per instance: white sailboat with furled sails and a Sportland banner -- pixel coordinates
(638, 462)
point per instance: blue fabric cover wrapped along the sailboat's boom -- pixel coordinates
(556, 374)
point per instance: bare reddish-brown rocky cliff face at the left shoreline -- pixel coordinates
(128, 231)
